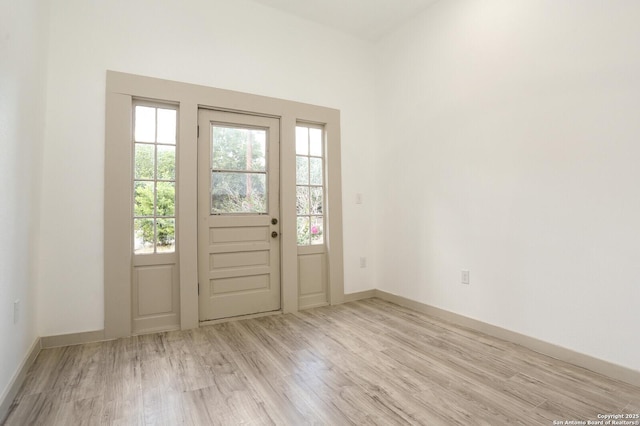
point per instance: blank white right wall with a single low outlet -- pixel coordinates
(510, 146)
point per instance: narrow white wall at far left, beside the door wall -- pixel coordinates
(22, 58)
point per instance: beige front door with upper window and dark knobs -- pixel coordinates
(238, 214)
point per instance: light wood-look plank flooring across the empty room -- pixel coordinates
(366, 362)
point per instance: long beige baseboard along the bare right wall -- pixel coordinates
(597, 365)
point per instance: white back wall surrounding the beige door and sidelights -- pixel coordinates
(236, 45)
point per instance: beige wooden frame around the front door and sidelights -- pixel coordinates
(122, 88)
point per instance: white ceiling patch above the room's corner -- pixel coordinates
(365, 19)
